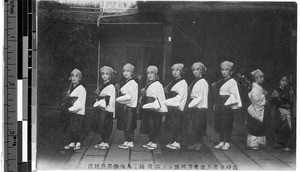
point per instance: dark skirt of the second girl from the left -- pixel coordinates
(103, 122)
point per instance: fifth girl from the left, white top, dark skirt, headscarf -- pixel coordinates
(177, 96)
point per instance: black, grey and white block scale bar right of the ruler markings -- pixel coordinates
(22, 90)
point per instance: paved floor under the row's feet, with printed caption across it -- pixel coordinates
(237, 157)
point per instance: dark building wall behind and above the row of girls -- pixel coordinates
(251, 39)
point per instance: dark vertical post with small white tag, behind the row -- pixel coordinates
(167, 49)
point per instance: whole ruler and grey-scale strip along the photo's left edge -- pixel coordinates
(19, 50)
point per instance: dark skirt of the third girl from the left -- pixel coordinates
(127, 119)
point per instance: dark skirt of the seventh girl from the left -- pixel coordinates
(223, 119)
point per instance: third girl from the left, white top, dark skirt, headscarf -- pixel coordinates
(129, 99)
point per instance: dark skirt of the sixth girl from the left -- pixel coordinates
(196, 122)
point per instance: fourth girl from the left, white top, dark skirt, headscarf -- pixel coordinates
(153, 107)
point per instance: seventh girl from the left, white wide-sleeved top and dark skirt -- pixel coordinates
(227, 98)
